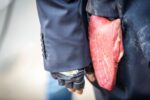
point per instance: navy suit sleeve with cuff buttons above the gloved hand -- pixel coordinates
(65, 45)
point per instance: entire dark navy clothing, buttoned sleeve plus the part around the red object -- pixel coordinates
(66, 45)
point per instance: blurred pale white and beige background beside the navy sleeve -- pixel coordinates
(22, 75)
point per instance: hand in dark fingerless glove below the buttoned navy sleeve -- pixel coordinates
(72, 80)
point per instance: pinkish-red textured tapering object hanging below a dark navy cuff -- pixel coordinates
(106, 49)
